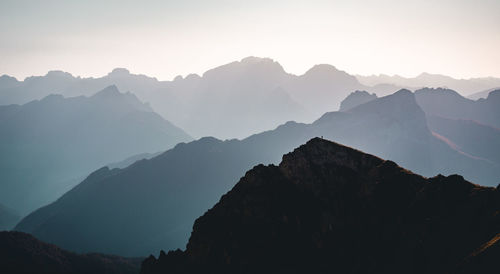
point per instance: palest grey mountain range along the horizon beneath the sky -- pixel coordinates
(234, 100)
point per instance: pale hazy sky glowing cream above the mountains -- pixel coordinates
(163, 39)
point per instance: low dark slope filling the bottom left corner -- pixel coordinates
(21, 253)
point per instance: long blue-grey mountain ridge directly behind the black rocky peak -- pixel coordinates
(151, 204)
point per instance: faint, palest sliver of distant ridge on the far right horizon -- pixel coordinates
(465, 87)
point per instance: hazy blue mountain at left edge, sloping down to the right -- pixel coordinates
(47, 146)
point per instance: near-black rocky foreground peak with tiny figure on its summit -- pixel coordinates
(329, 208)
